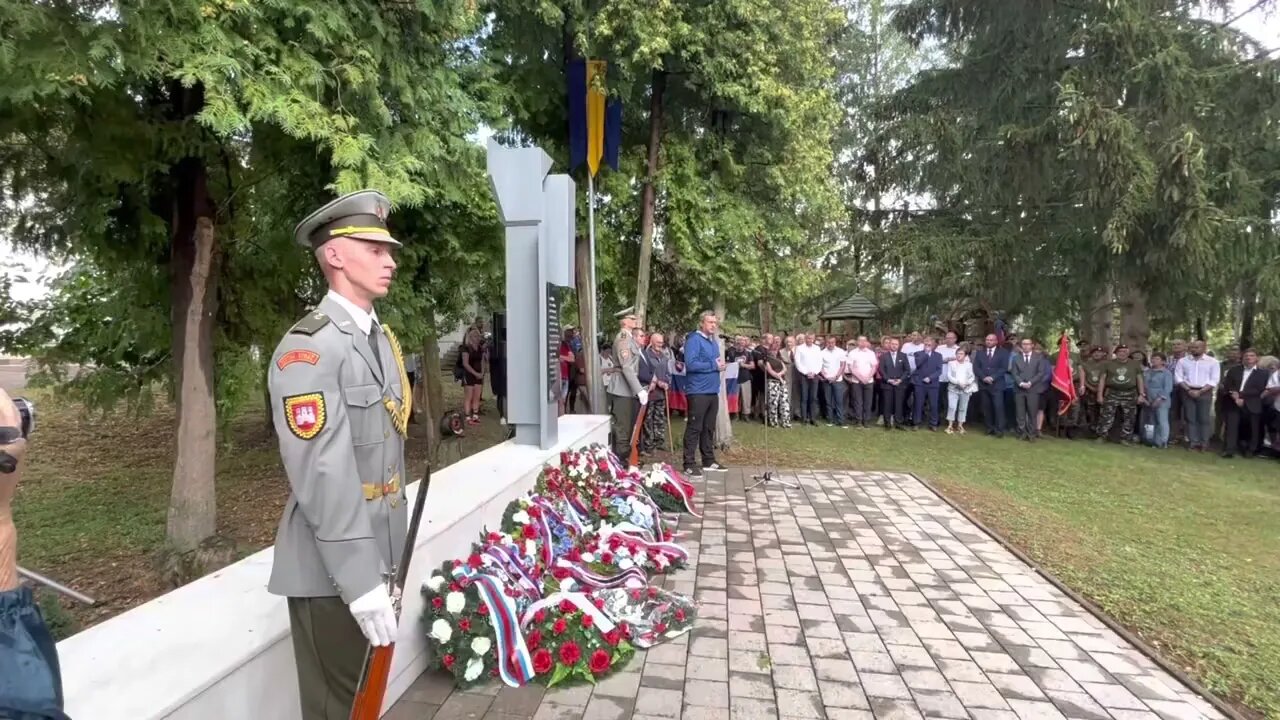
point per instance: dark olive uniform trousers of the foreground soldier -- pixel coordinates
(330, 650)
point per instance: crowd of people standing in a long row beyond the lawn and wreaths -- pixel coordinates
(1183, 397)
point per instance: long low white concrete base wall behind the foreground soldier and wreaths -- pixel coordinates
(220, 648)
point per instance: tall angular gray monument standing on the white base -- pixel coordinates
(540, 215)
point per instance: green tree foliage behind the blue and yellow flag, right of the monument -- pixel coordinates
(744, 190)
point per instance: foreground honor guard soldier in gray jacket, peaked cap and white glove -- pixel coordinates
(341, 403)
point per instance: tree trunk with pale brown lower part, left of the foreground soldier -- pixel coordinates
(194, 288)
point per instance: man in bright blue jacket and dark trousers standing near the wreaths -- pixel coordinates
(703, 368)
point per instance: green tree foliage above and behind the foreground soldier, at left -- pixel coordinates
(284, 106)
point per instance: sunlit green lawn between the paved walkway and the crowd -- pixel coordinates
(1182, 549)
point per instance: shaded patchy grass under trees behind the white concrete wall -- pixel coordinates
(93, 504)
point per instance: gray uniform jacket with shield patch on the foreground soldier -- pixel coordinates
(346, 518)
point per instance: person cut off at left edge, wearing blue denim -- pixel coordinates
(31, 683)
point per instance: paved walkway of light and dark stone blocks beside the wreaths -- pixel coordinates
(858, 596)
